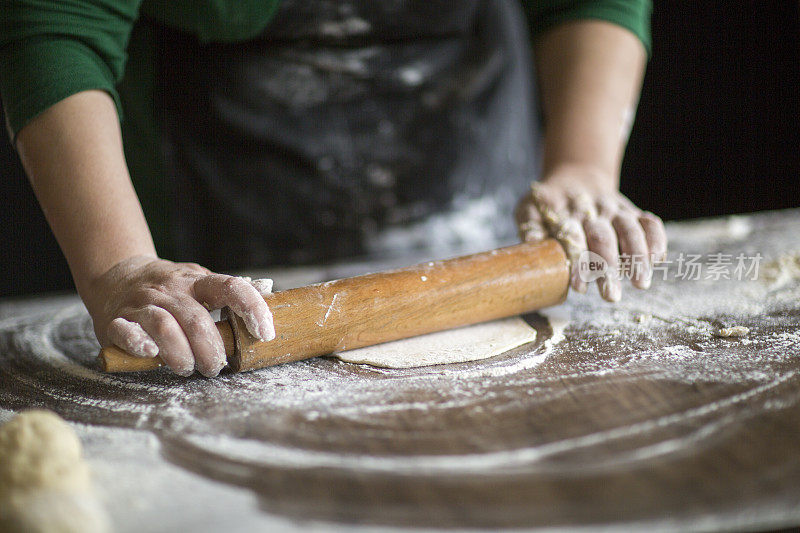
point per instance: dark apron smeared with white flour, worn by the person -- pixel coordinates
(352, 128)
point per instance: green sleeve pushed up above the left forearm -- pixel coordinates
(51, 49)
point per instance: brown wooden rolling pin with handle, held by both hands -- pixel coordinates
(365, 310)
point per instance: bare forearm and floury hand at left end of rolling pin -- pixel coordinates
(73, 156)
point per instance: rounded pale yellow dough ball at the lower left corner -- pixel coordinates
(40, 451)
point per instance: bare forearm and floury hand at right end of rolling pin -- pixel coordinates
(590, 74)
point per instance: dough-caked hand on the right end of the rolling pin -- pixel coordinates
(584, 213)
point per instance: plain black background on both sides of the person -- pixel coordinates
(716, 132)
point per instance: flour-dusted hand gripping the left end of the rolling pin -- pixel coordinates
(148, 306)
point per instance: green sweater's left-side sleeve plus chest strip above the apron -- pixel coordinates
(51, 49)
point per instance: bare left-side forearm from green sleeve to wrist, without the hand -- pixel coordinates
(74, 159)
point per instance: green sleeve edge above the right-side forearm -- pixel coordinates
(633, 15)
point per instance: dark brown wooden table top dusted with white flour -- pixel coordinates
(639, 416)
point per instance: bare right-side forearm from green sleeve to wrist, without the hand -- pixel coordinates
(590, 74)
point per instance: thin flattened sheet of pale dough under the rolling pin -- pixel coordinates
(470, 343)
